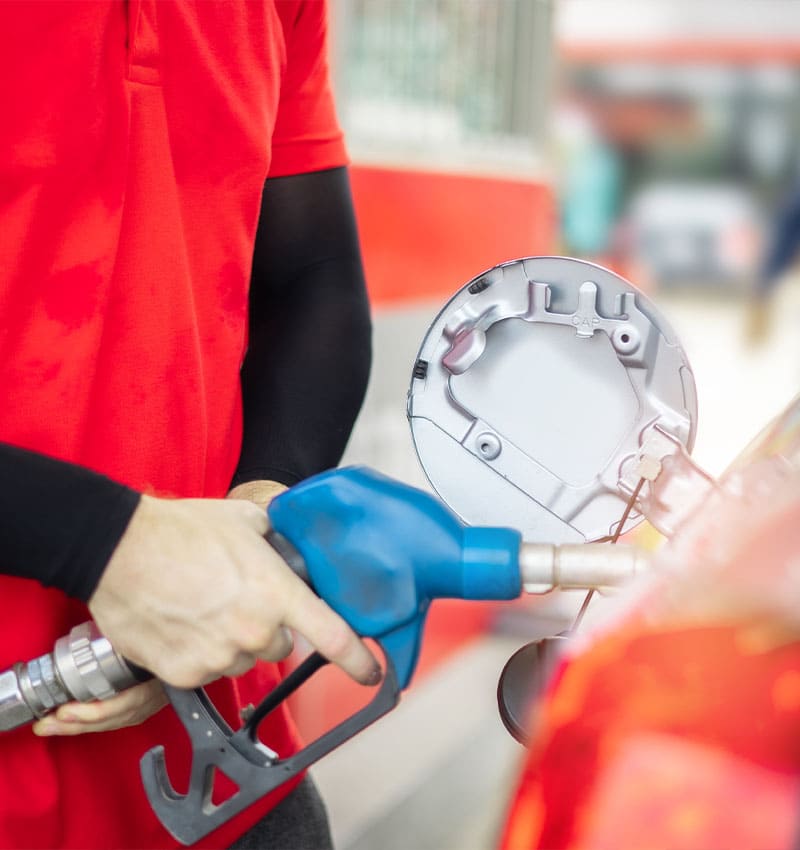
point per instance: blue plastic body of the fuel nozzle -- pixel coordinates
(379, 552)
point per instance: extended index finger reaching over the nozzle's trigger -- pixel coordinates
(328, 633)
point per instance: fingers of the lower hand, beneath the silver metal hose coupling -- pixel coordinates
(129, 708)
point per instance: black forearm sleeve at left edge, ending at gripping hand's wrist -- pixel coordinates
(59, 523)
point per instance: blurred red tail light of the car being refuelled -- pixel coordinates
(682, 738)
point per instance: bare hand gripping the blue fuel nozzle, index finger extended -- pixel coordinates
(193, 591)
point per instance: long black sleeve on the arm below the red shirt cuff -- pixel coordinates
(307, 364)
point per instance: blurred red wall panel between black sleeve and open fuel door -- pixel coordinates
(424, 234)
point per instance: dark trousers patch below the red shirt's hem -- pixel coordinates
(298, 822)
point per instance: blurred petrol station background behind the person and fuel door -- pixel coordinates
(656, 137)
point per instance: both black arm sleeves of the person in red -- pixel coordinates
(303, 382)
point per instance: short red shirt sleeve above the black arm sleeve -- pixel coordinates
(307, 136)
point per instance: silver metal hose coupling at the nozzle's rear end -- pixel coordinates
(83, 666)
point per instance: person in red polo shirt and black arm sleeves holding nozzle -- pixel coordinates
(184, 319)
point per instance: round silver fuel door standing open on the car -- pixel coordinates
(536, 390)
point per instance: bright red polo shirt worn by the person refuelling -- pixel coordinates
(134, 144)
